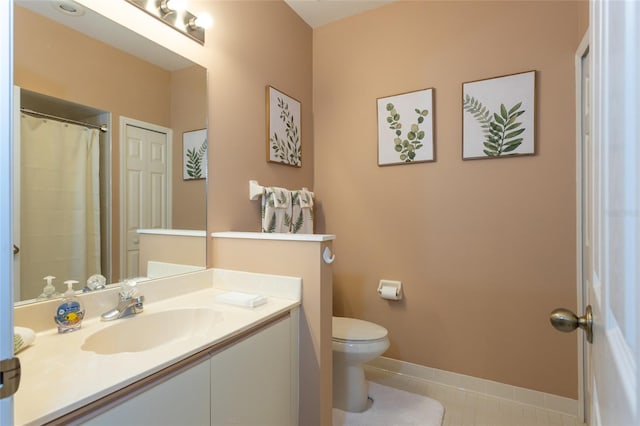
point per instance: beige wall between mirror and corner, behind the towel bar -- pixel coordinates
(253, 44)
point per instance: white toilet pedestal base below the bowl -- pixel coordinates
(350, 388)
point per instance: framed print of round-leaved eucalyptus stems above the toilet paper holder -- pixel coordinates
(405, 128)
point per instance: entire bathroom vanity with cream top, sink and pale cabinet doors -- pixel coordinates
(187, 359)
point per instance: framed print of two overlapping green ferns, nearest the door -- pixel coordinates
(498, 117)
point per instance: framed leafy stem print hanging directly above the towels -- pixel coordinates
(284, 141)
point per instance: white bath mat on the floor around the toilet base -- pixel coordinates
(393, 407)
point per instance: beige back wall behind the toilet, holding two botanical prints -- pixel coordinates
(485, 249)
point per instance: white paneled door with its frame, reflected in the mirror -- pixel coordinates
(146, 187)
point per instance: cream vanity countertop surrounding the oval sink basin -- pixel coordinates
(59, 377)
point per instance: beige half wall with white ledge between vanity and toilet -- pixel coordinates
(303, 255)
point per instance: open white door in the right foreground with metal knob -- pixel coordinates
(612, 219)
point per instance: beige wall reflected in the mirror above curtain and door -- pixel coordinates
(56, 61)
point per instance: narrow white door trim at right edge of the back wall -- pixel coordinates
(582, 50)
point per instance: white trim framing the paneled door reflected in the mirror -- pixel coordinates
(124, 122)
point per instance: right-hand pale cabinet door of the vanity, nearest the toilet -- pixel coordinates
(252, 381)
